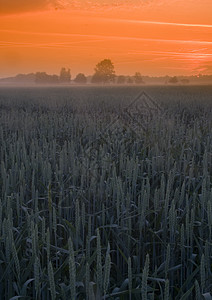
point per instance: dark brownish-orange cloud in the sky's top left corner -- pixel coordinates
(19, 6)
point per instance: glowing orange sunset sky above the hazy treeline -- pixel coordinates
(153, 37)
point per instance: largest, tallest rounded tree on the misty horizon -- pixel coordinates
(104, 72)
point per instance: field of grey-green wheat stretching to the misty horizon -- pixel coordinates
(104, 195)
